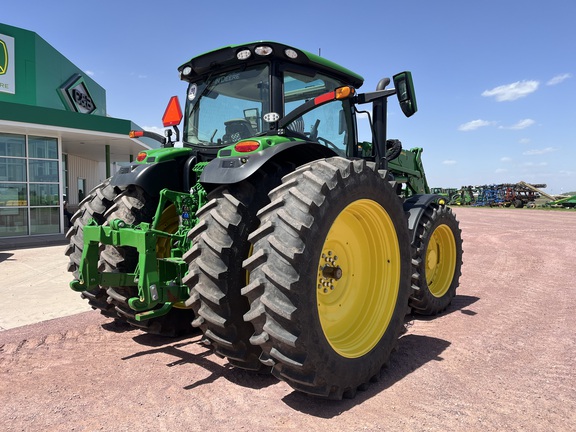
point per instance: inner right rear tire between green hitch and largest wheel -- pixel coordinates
(215, 276)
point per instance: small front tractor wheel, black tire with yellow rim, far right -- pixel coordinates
(437, 260)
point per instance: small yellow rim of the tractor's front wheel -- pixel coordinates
(440, 260)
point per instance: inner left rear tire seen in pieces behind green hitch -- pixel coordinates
(134, 206)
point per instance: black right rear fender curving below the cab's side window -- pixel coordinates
(229, 170)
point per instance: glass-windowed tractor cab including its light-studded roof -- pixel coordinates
(244, 91)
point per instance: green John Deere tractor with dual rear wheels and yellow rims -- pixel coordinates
(293, 247)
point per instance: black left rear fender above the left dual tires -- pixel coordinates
(150, 177)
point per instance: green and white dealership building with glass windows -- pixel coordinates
(56, 140)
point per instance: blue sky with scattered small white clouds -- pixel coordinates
(495, 80)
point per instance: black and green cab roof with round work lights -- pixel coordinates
(251, 53)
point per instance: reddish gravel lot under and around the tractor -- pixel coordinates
(501, 358)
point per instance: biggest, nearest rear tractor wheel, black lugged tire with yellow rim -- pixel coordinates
(329, 277)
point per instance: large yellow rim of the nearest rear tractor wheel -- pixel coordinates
(358, 278)
